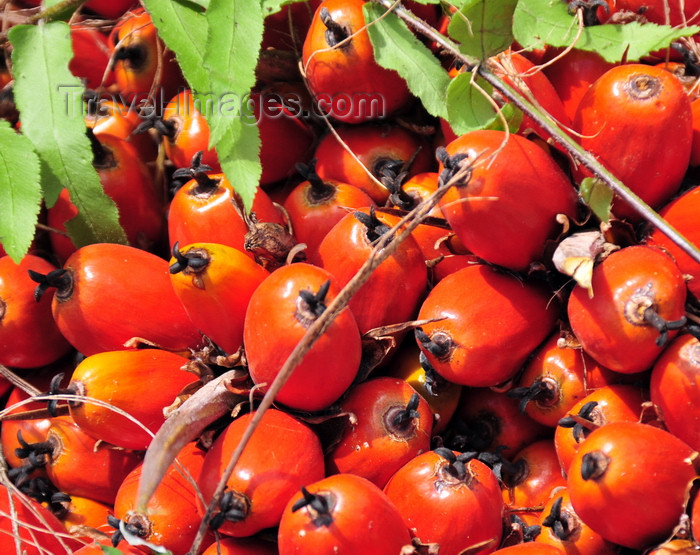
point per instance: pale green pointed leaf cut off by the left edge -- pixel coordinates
(20, 192)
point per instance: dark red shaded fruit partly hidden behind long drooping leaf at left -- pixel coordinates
(126, 179)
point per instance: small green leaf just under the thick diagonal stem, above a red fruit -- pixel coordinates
(468, 108)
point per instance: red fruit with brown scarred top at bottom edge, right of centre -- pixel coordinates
(456, 512)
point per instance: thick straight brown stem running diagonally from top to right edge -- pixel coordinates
(549, 125)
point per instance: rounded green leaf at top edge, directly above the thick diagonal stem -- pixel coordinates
(483, 27)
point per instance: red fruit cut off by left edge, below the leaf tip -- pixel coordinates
(29, 336)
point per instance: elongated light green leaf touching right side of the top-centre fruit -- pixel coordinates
(396, 47)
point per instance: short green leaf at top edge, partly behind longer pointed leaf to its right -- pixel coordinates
(182, 26)
